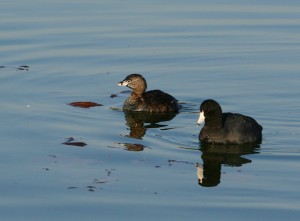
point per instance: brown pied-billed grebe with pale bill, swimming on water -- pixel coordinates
(148, 101)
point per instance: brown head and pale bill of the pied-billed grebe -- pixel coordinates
(136, 82)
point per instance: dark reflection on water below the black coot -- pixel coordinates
(213, 156)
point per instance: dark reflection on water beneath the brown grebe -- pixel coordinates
(139, 122)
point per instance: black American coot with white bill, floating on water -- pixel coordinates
(227, 128)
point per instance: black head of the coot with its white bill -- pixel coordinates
(209, 110)
